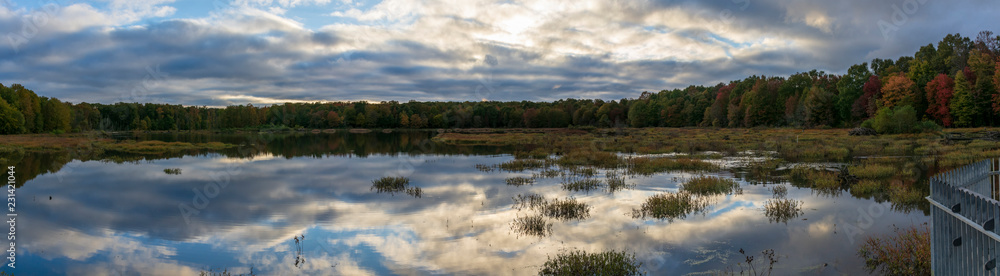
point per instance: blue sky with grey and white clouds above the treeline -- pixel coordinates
(220, 52)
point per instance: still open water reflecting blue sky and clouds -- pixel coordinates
(303, 204)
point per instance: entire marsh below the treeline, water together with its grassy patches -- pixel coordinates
(652, 200)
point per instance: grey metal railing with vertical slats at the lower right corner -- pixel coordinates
(964, 235)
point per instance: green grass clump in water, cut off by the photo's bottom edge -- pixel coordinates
(583, 263)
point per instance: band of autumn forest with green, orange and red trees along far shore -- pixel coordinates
(952, 84)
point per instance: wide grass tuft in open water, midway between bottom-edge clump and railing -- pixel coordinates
(670, 206)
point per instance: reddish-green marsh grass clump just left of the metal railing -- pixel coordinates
(906, 252)
